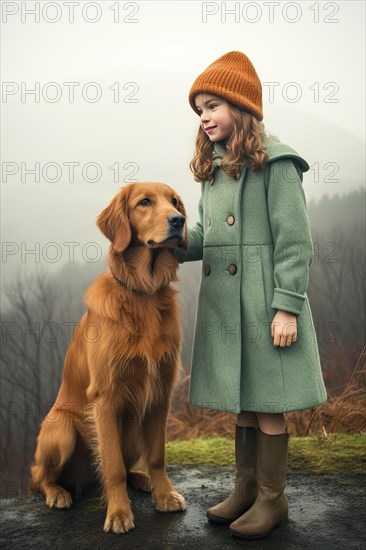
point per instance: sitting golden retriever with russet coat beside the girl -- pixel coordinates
(122, 363)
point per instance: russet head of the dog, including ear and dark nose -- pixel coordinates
(152, 214)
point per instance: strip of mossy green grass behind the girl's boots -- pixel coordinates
(335, 453)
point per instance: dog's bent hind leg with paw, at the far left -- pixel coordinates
(55, 445)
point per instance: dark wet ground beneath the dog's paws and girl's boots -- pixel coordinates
(325, 512)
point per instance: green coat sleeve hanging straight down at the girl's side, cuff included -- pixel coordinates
(293, 247)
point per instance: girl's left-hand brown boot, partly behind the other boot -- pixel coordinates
(245, 490)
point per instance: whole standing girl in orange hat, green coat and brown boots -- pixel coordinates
(255, 350)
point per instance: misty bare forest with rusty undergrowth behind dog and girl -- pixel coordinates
(44, 310)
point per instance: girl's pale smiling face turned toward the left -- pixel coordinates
(216, 120)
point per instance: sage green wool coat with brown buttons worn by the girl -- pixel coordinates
(254, 238)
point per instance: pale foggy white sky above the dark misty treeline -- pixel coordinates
(130, 109)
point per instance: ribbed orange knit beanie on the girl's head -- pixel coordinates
(233, 78)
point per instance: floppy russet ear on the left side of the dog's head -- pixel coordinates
(114, 222)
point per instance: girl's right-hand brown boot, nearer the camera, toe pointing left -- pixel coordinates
(271, 507)
